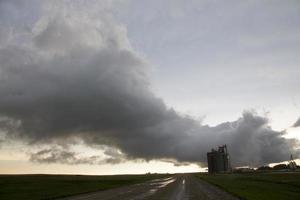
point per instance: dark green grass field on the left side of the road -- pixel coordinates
(33, 187)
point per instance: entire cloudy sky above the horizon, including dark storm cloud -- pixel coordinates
(131, 86)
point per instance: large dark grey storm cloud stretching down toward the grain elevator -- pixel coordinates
(71, 77)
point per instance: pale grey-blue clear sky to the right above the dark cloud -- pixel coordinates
(218, 58)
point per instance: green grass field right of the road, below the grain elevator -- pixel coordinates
(258, 186)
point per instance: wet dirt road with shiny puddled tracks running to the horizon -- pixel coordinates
(179, 187)
